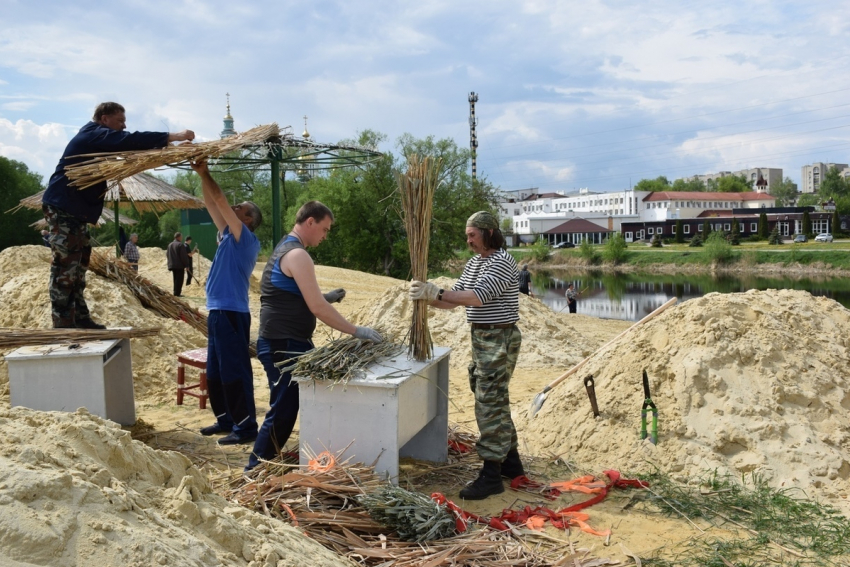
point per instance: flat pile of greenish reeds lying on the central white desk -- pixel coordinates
(342, 359)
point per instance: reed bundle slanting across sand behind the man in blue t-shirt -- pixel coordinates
(150, 295)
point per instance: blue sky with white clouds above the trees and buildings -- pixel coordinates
(571, 94)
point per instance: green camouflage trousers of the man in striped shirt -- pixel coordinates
(494, 356)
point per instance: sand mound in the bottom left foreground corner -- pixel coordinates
(76, 490)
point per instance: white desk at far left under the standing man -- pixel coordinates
(96, 375)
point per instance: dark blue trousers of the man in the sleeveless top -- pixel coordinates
(283, 397)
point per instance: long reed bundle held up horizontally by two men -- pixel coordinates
(116, 166)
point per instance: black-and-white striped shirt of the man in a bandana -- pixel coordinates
(495, 281)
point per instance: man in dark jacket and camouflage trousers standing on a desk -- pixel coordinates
(69, 210)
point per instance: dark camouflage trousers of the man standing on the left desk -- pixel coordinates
(71, 246)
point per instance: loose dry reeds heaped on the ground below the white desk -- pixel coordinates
(321, 502)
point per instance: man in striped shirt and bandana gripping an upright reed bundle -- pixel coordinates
(489, 290)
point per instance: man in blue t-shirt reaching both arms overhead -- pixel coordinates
(230, 380)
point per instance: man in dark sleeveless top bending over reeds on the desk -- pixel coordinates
(290, 303)
